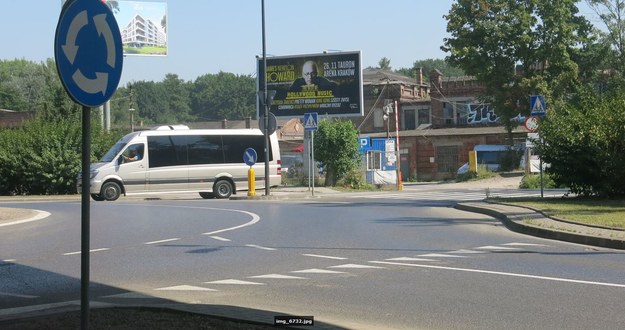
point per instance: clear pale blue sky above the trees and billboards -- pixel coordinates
(209, 36)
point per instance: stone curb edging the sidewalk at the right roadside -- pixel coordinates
(519, 227)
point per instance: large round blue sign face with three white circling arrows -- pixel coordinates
(88, 51)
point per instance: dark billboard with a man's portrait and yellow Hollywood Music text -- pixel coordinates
(328, 84)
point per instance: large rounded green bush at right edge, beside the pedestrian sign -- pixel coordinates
(584, 143)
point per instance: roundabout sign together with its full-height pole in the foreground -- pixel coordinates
(88, 55)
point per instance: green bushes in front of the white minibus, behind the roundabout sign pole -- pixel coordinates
(45, 156)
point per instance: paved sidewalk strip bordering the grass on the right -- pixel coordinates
(533, 222)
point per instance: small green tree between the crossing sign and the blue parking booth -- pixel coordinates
(336, 146)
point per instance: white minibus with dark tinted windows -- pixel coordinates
(176, 159)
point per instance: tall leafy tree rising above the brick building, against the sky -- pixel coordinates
(493, 39)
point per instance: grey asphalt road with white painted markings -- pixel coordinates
(396, 261)
